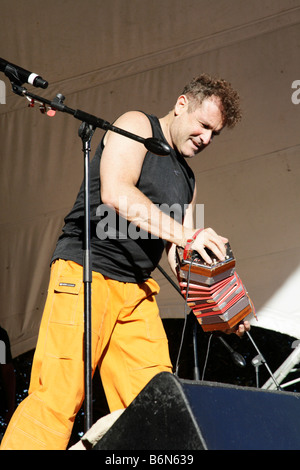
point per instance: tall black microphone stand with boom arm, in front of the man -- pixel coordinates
(86, 131)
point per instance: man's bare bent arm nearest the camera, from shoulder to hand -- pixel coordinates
(120, 169)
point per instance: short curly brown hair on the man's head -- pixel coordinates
(205, 86)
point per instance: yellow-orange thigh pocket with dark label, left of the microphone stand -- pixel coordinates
(68, 301)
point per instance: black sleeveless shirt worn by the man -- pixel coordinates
(119, 249)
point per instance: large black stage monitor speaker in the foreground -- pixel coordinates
(175, 414)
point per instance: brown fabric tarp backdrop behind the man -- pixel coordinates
(111, 56)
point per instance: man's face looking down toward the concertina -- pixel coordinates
(193, 128)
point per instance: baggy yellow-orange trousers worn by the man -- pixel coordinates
(129, 345)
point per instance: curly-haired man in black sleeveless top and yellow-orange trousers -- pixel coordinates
(128, 340)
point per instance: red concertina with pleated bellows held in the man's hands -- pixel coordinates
(216, 294)
